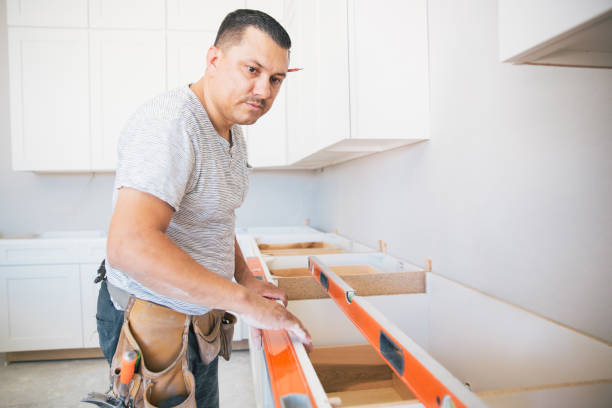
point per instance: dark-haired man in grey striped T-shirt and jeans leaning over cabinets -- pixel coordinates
(182, 171)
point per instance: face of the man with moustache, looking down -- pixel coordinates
(247, 77)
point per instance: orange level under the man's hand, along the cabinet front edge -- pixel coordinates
(287, 379)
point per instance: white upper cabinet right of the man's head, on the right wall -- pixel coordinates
(365, 70)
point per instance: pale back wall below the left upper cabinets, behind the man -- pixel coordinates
(33, 203)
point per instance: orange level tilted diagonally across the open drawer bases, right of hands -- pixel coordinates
(416, 369)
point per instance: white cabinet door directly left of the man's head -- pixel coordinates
(187, 56)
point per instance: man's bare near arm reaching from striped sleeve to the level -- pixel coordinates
(137, 244)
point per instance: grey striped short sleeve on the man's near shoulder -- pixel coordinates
(156, 156)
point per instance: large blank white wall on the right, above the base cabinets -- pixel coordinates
(513, 193)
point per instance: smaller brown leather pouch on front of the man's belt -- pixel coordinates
(214, 332)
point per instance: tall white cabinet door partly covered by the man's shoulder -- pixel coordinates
(127, 69)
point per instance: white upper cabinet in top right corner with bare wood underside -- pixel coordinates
(556, 32)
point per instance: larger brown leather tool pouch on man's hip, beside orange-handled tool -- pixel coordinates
(160, 335)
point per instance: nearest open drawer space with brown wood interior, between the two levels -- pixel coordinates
(356, 375)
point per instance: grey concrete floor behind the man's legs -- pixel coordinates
(55, 384)
